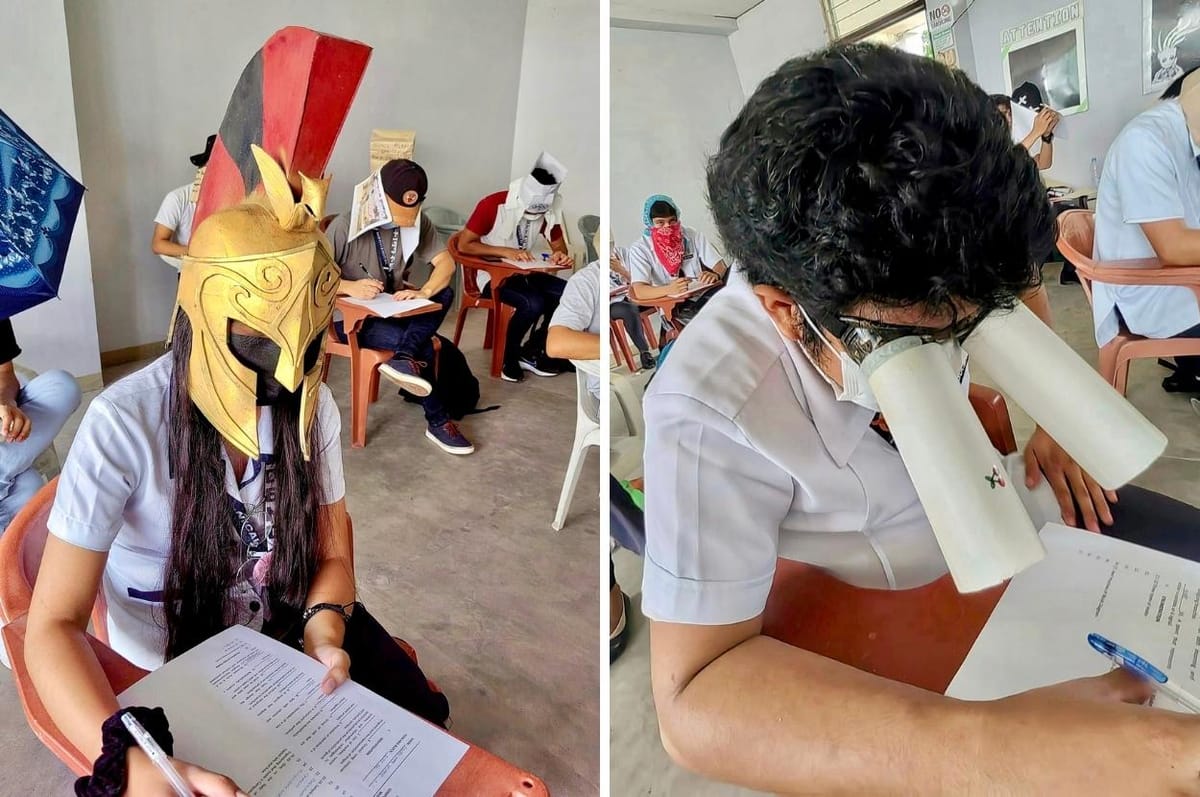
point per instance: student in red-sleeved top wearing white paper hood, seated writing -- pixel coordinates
(508, 225)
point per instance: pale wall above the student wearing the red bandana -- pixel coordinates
(673, 97)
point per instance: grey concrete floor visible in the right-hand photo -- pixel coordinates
(640, 766)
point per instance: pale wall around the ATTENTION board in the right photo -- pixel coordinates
(1113, 44)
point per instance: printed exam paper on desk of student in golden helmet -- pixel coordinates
(250, 708)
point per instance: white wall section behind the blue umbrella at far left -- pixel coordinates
(35, 92)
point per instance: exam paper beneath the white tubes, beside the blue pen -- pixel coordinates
(1142, 600)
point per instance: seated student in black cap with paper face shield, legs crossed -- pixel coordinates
(381, 245)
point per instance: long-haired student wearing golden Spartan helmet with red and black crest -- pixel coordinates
(207, 489)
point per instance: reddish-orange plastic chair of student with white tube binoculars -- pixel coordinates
(916, 637)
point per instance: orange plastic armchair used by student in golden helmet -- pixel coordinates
(21, 555)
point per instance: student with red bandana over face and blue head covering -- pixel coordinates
(669, 257)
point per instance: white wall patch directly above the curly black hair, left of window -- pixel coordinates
(772, 33)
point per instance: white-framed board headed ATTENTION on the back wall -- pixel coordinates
(1045, 62)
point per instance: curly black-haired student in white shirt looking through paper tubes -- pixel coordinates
(847, 201)
